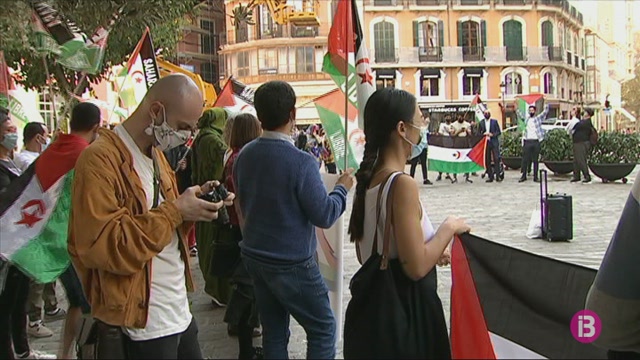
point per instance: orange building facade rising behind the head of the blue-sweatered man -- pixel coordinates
(255, 54)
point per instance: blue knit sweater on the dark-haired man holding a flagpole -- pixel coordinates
(282, 197)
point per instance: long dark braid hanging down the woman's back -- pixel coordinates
(363, 178)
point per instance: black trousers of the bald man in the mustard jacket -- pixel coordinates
(184, 345)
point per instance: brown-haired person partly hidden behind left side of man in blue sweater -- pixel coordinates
(241, 314)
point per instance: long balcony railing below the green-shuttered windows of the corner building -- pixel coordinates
(456, 55)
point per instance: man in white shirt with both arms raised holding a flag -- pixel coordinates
(531, 138)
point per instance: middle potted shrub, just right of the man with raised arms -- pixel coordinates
(556, 151)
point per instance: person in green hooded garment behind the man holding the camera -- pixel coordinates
(209, 148)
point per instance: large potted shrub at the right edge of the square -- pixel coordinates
(615, 155)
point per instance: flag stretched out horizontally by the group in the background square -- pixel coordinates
(457, 155)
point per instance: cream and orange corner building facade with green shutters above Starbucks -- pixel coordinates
(448, 51)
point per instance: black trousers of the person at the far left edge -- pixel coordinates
(13, 314)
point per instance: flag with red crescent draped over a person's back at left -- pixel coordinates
(34, 213)
